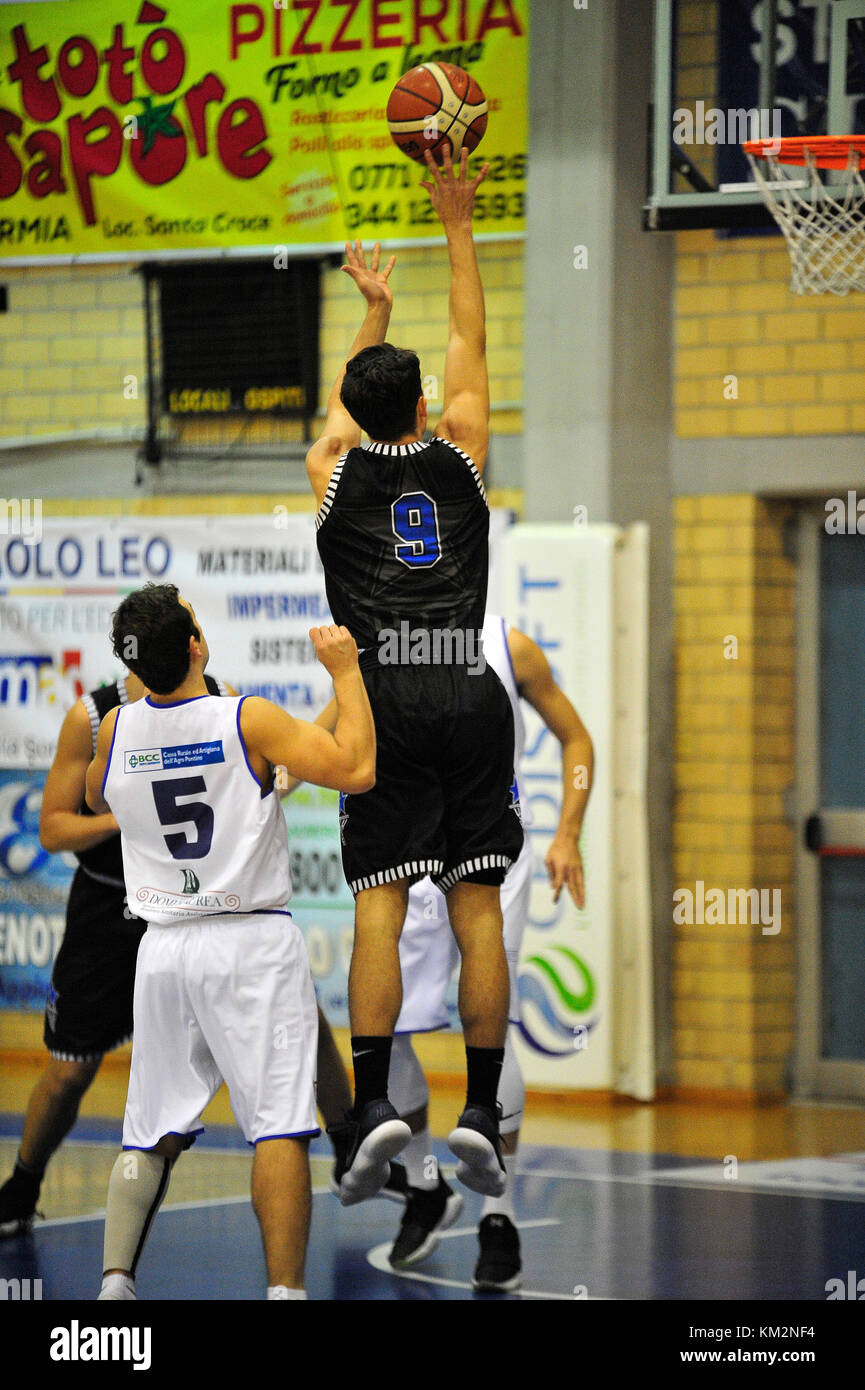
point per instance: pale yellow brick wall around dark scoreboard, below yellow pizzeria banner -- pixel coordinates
(74, 334)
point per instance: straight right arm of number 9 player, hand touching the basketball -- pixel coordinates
(467, 405)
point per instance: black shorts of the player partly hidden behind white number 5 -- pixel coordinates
(90, 1004)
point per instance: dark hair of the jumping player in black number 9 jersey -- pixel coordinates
(380, 391)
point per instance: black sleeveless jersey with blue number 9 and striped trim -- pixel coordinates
(404, 536)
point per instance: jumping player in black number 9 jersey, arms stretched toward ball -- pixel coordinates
(404, 541)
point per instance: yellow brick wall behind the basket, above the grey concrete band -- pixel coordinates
(799, 362)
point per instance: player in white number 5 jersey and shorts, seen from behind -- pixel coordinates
(223, 989)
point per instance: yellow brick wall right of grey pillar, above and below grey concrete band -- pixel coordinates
(752, 359)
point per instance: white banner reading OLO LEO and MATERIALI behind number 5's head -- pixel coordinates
(255, 583)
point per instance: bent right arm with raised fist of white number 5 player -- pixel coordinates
(343, 760)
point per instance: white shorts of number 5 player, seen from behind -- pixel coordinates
(223, 1000)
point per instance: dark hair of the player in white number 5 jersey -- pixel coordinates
(151, 633)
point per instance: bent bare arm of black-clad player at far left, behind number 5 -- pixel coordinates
(60, 824)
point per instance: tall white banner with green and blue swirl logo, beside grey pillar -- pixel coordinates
(561, 586)
